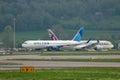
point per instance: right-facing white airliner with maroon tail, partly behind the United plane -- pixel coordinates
(98, 45)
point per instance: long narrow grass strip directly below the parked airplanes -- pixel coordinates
(68, 53)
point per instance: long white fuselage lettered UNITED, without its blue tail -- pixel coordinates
(47, 43)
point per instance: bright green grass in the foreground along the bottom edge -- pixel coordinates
(64, 74)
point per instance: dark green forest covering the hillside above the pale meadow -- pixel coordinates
(69, 14)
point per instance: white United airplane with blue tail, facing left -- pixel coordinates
(53, 44)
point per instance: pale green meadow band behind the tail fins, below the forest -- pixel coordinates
(94, 34)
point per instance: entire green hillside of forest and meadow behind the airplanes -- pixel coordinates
(100, 18)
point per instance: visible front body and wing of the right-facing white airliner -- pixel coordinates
(94, 44)
